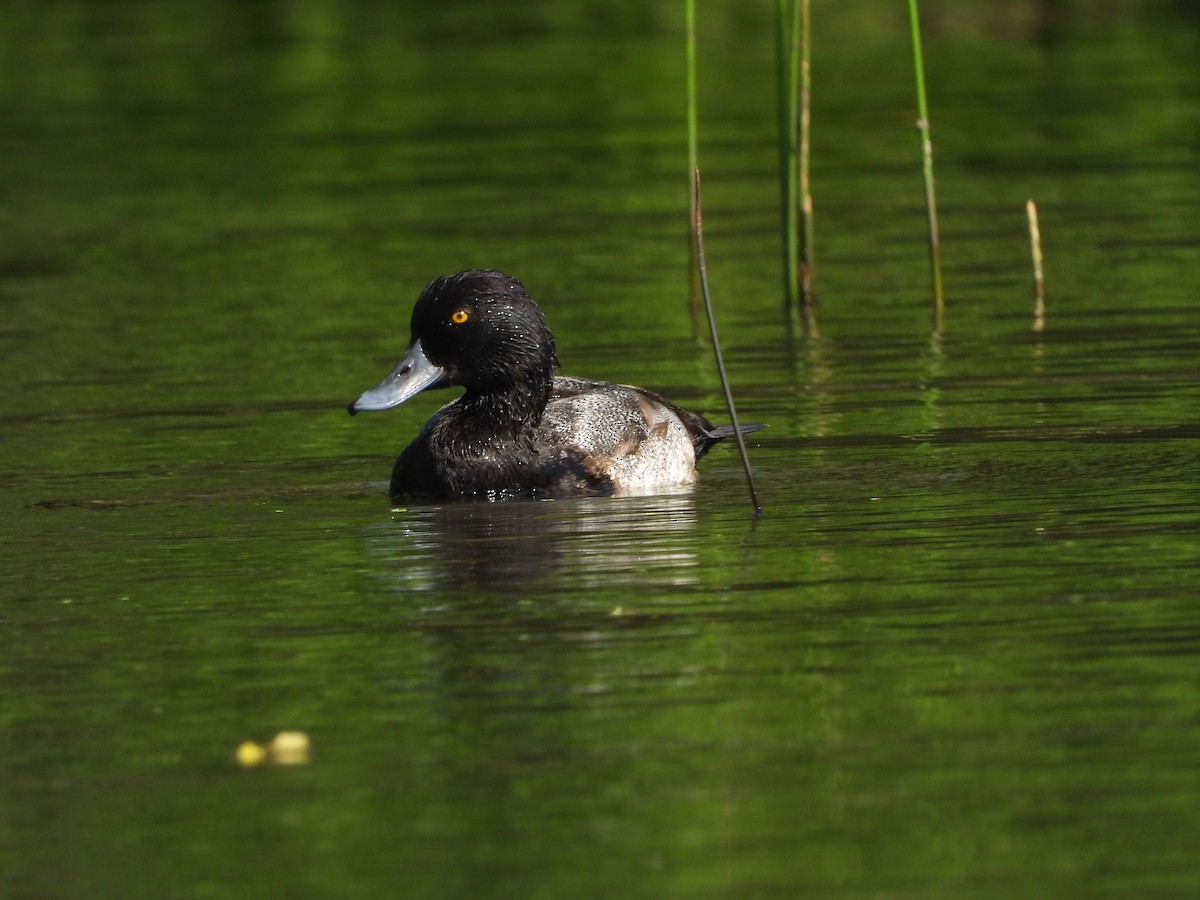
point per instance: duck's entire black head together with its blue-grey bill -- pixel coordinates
(477, 329)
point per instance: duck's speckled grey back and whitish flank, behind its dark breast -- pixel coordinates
(628, 437)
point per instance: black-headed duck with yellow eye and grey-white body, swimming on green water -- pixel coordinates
(519, 429)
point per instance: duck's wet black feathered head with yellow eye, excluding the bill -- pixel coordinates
(484, 332)
